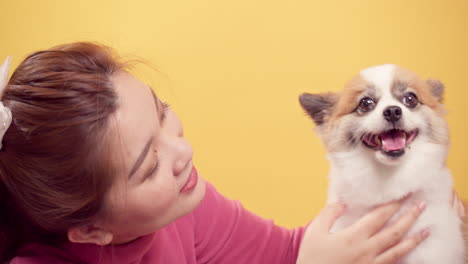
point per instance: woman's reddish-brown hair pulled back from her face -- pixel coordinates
(56, 164)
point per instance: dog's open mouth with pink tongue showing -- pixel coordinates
(392, 142)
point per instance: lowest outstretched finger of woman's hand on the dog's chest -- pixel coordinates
(395, 253)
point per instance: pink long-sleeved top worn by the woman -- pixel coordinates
(218, 231)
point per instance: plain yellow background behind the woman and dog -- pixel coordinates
(233, 71)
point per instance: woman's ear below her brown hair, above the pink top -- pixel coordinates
(90, 234)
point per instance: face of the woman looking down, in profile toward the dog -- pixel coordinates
(158, 182)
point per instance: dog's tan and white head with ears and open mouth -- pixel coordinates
(386, 110)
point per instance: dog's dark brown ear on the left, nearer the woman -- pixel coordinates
(318, 106)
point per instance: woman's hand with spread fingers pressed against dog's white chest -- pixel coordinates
(365, 242)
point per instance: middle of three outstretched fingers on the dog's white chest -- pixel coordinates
(392, 234)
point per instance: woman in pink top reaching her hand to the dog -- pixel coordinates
(95, 169)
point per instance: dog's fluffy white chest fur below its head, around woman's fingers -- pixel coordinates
(362, 183)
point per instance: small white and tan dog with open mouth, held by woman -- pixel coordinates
(386, 137)
